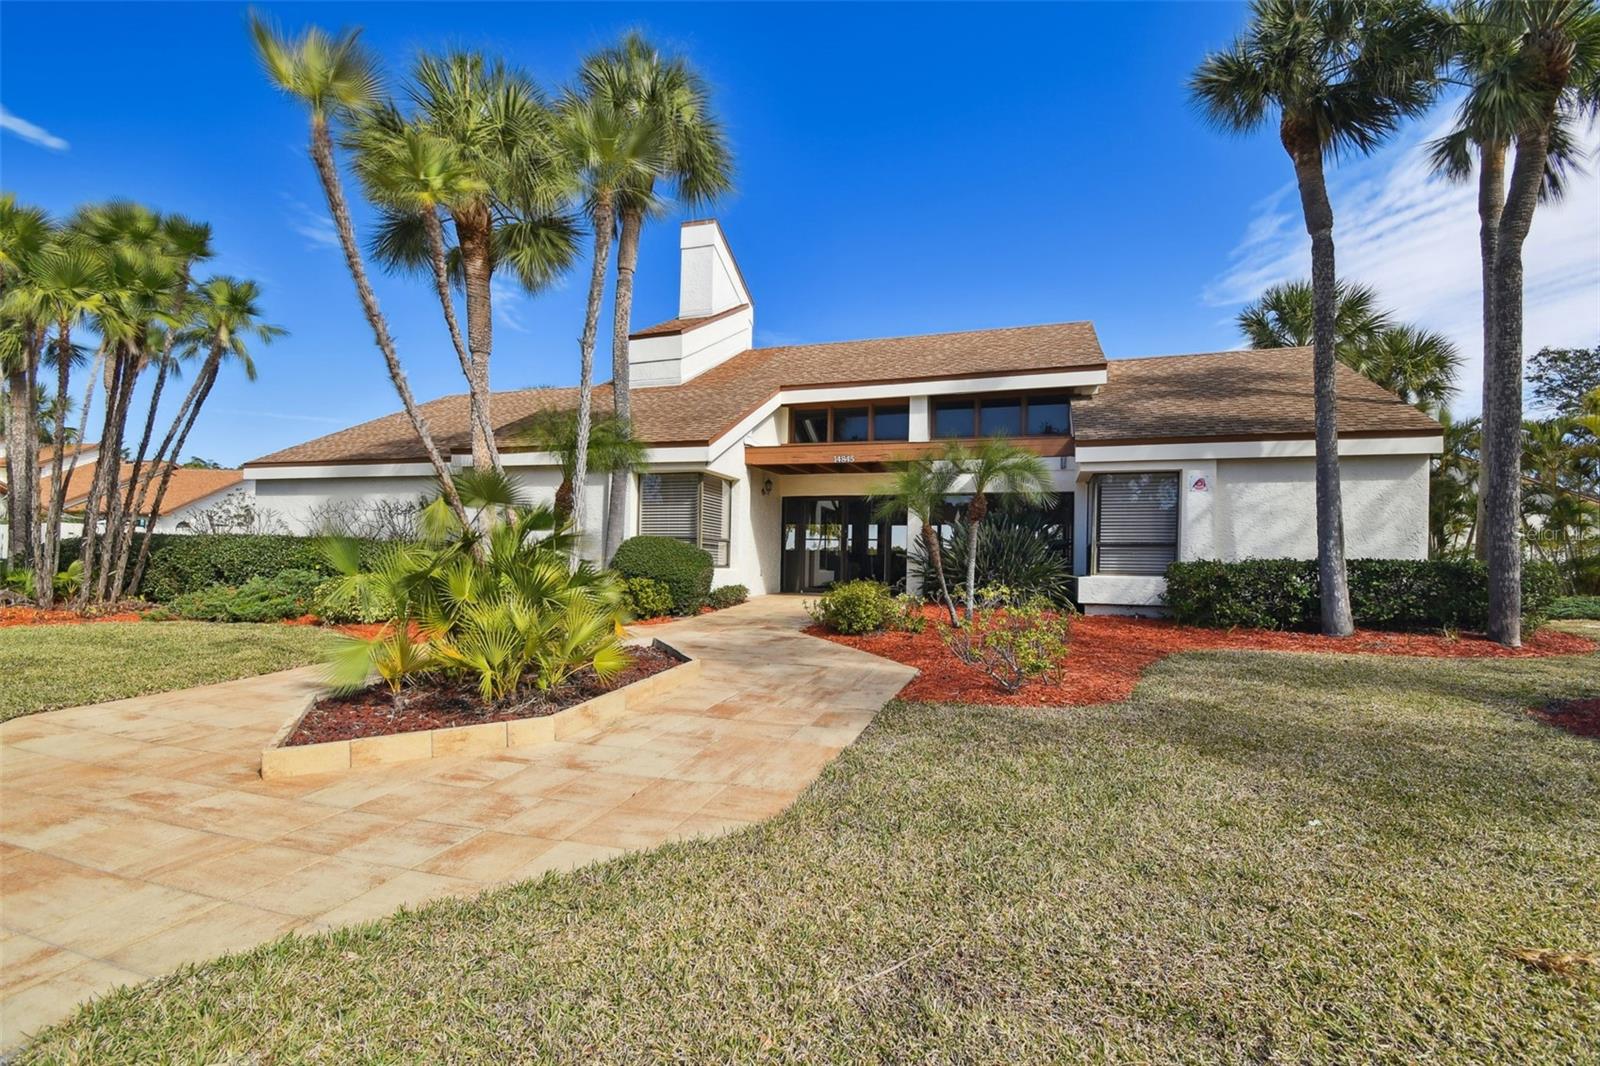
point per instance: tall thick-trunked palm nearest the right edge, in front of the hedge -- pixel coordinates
(1532, 70)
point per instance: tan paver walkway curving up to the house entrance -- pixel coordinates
(137, 836)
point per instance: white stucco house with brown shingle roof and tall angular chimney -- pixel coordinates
(767, 457)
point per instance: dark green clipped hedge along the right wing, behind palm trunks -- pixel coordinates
(1394, 595)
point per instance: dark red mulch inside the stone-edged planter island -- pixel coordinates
(375, 711)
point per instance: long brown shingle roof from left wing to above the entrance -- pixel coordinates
(703, 409)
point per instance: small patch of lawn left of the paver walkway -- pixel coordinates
(65, 667)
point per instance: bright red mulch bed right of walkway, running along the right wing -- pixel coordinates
(1110, 654)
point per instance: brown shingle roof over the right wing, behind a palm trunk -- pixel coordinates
(1233, 395)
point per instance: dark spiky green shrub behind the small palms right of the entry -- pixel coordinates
(1015, 551)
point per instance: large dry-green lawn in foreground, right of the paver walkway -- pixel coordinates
(1257, 859)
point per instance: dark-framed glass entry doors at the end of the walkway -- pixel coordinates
(836, 539)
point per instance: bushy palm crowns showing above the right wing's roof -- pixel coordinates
(1415, 364)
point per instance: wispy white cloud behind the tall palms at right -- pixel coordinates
(1415, 239)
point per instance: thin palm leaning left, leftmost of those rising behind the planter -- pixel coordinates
(337, 81)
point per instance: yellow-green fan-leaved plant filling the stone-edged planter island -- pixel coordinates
(494, 603)
